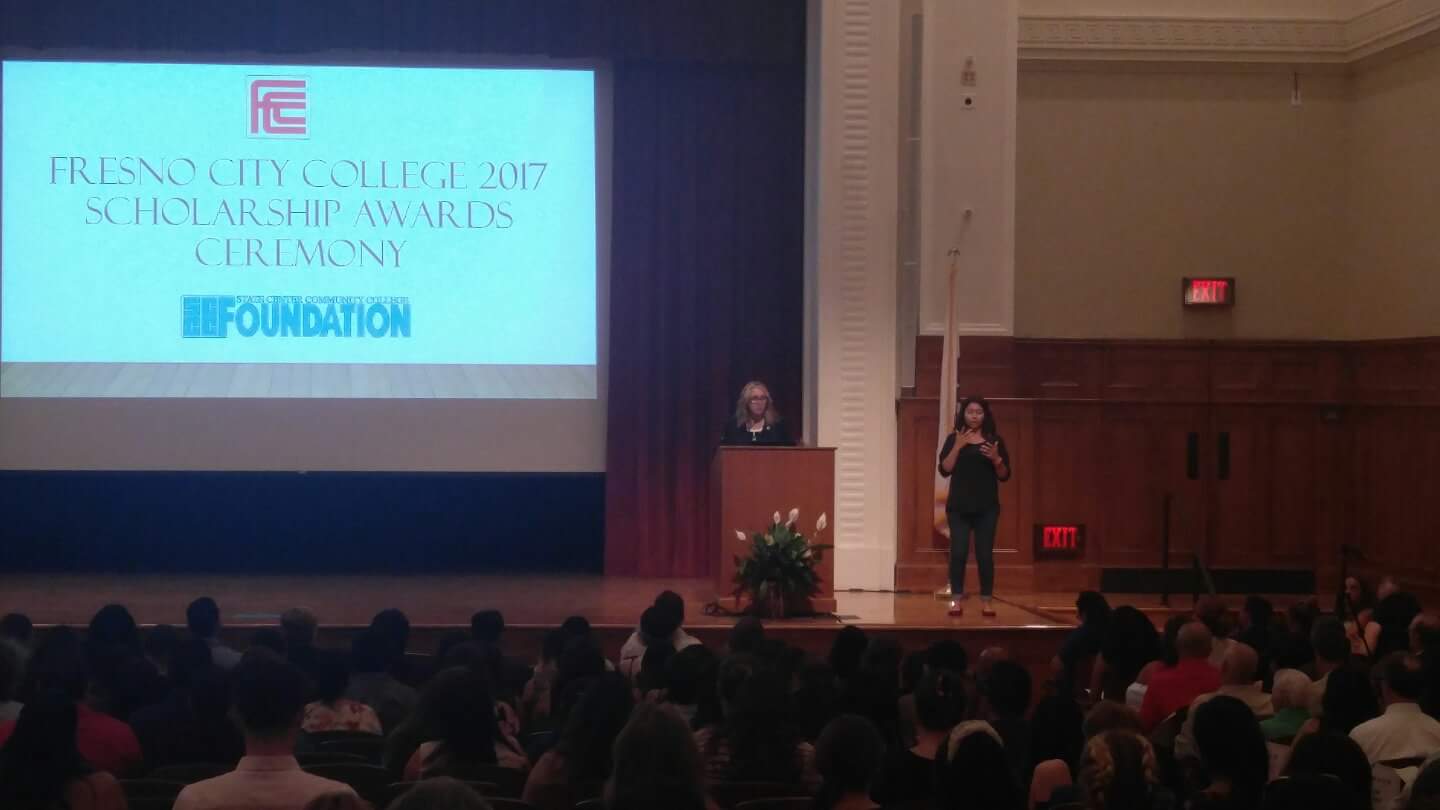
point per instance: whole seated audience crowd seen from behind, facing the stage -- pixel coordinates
(1246, 711)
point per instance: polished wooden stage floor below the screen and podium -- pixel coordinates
(447, 602)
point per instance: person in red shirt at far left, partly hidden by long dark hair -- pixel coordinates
(60, 665)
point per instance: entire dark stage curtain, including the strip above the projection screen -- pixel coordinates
(706, 280)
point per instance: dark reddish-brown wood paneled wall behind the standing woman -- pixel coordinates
(1328, 445)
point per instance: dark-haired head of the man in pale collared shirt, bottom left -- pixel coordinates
(270, 697)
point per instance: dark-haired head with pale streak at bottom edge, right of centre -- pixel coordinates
(974, 773)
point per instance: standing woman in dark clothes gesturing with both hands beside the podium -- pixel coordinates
(976, 460)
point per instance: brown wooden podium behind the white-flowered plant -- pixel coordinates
(750, 485)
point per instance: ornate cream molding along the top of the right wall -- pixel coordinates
(1338, 40)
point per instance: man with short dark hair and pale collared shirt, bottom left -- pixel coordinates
(270, 701)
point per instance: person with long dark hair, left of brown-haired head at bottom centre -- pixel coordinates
(581, 760)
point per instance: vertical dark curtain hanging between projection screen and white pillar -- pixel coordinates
(706, 292)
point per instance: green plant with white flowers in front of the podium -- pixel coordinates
(781, 567)
